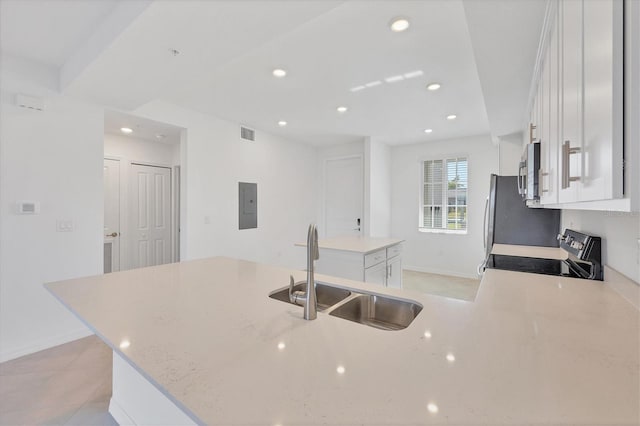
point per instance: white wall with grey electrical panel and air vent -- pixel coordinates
(215, 159)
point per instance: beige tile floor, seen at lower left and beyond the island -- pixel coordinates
(71, 384)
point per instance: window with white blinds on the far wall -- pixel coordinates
(444, 195)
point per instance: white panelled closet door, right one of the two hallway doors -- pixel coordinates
(150, 215)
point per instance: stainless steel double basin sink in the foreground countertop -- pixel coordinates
(374, 310)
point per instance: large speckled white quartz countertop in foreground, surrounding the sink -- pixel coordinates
(531, 349)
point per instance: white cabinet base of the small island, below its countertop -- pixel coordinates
(382, 267)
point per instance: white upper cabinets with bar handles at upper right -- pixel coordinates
(578, 102)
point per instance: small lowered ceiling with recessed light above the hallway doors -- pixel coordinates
(143, 128)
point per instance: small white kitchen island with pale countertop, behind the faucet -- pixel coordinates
(369, 259)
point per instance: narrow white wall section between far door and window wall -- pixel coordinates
(377, 189)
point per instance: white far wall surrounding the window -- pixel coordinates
(442, 253)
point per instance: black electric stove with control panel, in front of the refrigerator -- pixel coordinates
(583, 261)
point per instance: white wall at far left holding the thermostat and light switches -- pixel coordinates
(55, 158)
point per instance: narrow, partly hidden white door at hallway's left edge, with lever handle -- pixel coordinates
(111, 215)
